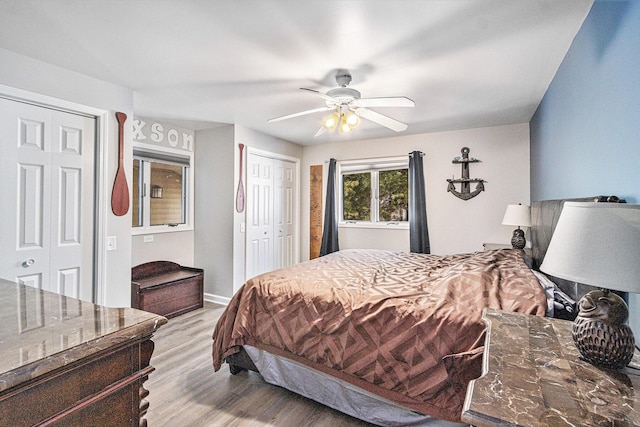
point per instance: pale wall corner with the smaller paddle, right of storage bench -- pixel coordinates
(219, 241)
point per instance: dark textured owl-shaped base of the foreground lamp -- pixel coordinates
(600, 330)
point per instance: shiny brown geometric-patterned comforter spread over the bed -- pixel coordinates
(401, 325)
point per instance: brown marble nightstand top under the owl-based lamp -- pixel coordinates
(533, 376)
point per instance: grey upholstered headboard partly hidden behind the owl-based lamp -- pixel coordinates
(544, 218)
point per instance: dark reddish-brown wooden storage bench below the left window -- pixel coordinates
(166, 288)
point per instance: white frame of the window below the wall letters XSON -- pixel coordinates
(150, 153)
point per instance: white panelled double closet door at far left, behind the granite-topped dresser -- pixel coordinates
(47, 179)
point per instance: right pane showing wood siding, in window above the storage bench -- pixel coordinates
(166, 192)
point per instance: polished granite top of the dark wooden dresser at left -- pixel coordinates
(41, 331)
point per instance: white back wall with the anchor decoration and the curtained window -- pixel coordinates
(455, 226)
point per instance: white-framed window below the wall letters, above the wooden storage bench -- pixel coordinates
(161, 191)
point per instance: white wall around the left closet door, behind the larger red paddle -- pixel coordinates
(45, 80)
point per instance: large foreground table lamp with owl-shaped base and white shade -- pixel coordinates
(598, 244)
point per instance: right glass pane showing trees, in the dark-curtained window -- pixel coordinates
(393, 193)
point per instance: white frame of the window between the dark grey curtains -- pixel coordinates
(372, 166)
